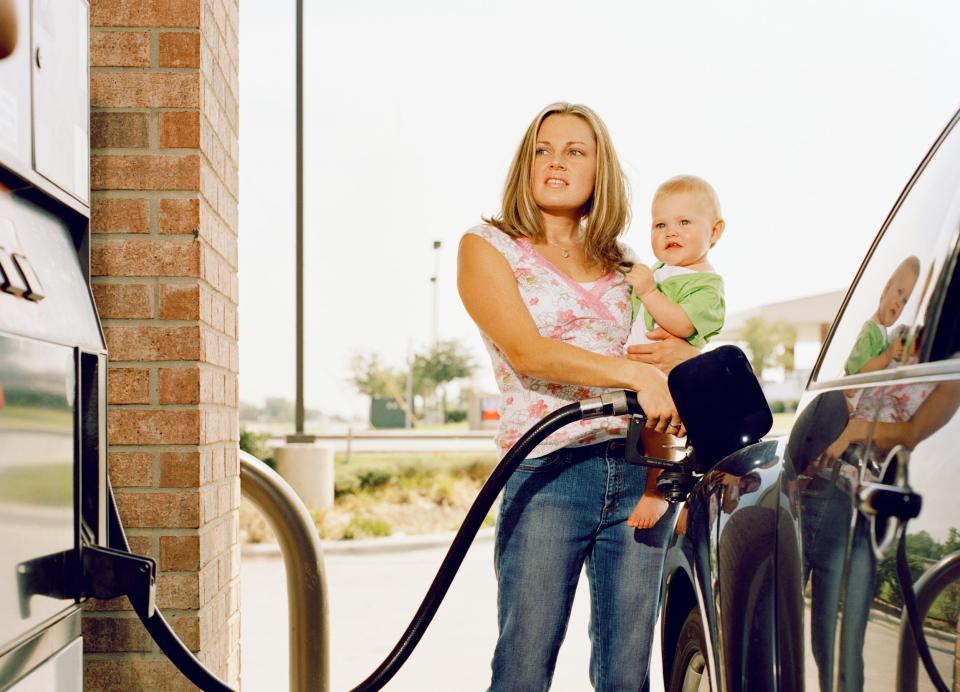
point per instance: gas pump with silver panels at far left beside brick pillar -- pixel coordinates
(52, 352)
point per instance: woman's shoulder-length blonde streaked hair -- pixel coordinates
(606, 213)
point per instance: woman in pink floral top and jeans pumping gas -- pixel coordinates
(542, 283)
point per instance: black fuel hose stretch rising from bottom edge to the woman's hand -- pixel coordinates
(613, 403)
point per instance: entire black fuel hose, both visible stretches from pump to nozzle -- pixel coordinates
(618, 402)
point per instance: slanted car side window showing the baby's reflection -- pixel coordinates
(881, 326)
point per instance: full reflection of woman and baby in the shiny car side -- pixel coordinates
(887, 416)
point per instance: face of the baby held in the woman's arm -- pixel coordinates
(683, 229)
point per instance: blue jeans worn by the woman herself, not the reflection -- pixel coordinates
(560, 512)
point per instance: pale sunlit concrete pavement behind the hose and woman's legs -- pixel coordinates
(374, 588)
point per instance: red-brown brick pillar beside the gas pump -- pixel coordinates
(163, 89)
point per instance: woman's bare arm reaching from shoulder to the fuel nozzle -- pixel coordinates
(489, 292)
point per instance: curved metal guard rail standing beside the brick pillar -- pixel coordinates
(303, 561)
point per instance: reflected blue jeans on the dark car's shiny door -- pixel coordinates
(827, 514)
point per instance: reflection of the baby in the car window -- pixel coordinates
(873, 349)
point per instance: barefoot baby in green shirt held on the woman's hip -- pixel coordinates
(681, 293)
